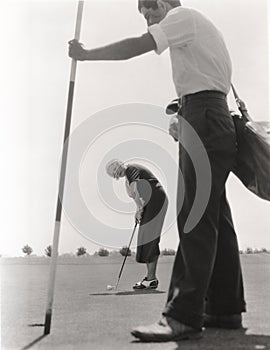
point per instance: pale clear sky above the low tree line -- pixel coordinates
(110, 101)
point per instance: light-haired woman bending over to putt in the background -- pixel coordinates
(152, 204)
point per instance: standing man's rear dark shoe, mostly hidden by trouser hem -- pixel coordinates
(223, 321)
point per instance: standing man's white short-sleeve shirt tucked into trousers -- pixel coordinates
(199, 56)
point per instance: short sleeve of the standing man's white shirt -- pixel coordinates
(177, 29)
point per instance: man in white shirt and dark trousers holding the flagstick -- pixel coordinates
(206, 286)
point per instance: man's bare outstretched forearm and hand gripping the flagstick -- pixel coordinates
(121, 50)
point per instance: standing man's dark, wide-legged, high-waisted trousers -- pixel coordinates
(206, 275)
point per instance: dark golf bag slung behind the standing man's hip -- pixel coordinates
(252, 164)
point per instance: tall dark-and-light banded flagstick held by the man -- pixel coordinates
(48, 316)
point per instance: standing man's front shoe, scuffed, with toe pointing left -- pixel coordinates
(167, 329)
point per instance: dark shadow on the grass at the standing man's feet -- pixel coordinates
(221, 339)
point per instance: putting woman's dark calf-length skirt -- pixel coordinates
(151, 227)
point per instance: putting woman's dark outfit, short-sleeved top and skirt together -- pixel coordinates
(156, 203)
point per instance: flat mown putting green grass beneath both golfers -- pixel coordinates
(84, 320)
